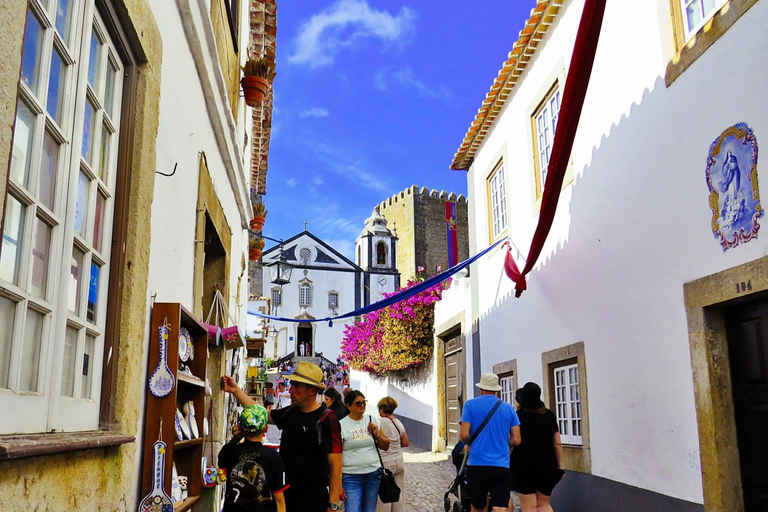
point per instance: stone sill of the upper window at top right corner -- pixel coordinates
(706, 37)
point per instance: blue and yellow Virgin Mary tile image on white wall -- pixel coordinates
(733, 192)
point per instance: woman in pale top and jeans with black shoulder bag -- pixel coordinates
(360, 435)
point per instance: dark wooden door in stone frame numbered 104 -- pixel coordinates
(748, 348)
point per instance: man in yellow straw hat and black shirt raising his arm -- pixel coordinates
(310, 444)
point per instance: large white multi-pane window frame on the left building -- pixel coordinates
(45, 409)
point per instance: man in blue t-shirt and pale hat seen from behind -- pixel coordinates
(490, 426)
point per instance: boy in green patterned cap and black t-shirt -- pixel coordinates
(255, 476)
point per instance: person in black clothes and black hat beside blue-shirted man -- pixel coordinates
(535, 463)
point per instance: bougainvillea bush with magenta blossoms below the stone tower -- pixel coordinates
(395, 338)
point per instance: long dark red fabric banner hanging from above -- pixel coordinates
(570, 112)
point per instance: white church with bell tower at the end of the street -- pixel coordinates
(324, 284)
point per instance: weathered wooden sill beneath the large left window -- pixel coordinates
(32, 445)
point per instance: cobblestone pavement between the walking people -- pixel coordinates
(428, 475)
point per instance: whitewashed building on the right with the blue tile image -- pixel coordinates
(643, 321)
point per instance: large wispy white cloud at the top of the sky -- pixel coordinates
(345, 23)
